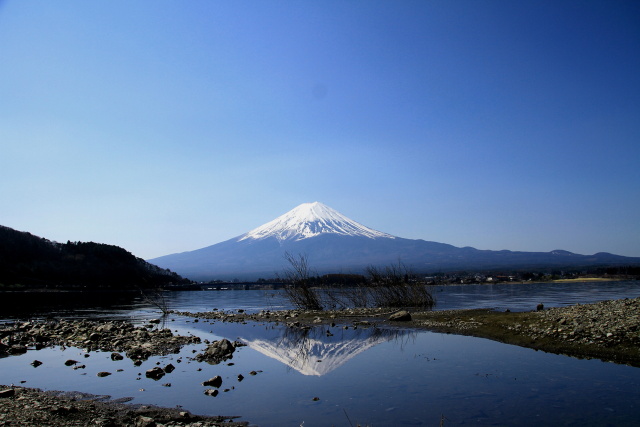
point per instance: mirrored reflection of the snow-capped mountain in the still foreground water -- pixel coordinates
(316, 352)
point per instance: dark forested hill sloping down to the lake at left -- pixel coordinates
(31, 261)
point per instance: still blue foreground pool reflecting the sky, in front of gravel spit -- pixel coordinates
(400, 379)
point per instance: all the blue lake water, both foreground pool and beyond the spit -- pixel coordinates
(374, 376)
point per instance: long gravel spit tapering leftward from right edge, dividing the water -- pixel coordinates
(607, 330)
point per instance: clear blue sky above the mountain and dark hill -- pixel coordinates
(167, 126)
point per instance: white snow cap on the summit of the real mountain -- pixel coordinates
(309, 220)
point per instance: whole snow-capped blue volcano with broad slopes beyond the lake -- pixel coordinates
(337, 244)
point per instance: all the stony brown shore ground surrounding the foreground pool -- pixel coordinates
(608, 330)
